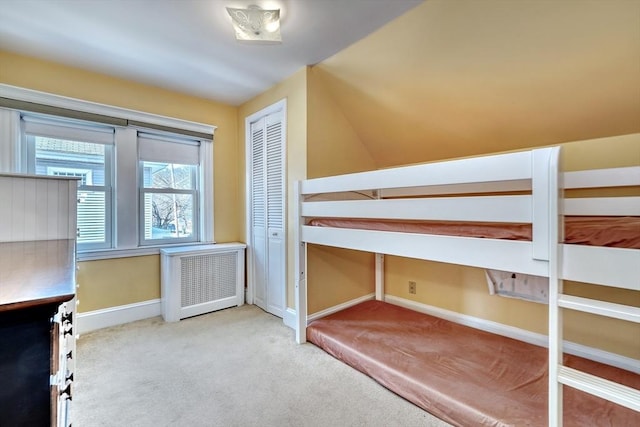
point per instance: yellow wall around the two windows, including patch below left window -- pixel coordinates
(123, 281)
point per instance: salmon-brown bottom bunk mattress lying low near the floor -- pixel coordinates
(462, 375)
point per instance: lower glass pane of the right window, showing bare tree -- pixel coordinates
(168, 216)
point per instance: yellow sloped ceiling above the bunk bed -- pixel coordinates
(458, 78)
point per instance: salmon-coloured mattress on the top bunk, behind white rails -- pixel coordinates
(621, 232)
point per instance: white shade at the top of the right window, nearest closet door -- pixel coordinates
(158, 149)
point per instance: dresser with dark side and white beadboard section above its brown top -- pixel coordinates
(37, 300)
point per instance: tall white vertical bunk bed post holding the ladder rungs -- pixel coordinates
(553, 194)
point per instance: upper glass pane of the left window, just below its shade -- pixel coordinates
(61, 157)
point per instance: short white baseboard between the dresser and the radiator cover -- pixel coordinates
(112, 316)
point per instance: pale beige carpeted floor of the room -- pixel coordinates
(235, 367)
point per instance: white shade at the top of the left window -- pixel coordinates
(76, 132)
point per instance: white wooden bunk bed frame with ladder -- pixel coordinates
(535, 172)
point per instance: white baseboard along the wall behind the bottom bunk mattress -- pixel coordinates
(580, 350)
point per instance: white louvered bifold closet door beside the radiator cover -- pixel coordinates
(267, 213)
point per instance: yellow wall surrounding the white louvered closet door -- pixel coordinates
(294, 90)
